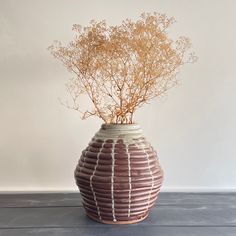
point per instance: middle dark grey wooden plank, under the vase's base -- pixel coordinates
(197, 215)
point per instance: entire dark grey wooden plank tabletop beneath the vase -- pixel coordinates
(185, 214)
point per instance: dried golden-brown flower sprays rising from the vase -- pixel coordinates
(122, 67)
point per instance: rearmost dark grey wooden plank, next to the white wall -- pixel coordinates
(74, 199)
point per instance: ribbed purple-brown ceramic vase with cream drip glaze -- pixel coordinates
(119, 175)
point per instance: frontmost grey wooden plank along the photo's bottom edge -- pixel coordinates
(123, 231)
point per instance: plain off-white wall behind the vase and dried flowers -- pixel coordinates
(193, 128)
